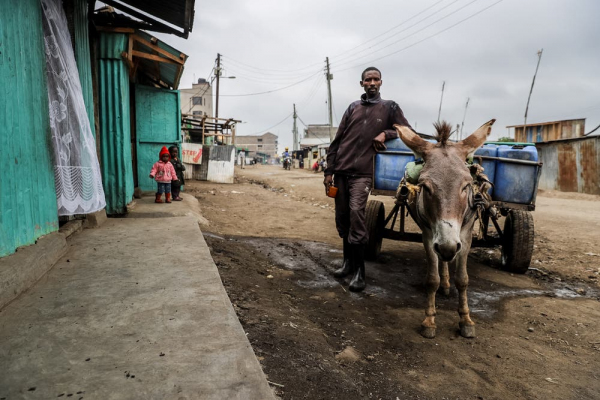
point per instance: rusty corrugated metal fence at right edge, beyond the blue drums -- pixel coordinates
(571, 165)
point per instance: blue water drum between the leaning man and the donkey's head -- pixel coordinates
(390, 165)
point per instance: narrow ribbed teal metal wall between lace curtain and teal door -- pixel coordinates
(115, 120)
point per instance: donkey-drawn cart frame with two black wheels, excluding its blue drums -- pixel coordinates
(516, 239)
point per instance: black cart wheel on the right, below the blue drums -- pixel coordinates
(517, 246)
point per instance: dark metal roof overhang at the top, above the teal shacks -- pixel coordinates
(164, 16)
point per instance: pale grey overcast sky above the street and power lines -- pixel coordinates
(489, 57)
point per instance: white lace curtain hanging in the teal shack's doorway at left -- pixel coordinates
(76, 169)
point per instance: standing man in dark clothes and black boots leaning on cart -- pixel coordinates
(365, 126)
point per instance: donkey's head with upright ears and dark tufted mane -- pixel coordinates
(445, 200)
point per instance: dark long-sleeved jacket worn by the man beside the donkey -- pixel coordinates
(351, 152)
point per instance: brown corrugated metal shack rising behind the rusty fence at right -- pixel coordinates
(547, 131)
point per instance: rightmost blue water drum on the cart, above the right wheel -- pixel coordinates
(514, 182)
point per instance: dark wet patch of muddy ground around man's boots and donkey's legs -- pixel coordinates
(396, 279)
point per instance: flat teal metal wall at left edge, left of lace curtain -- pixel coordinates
(27, 193)
